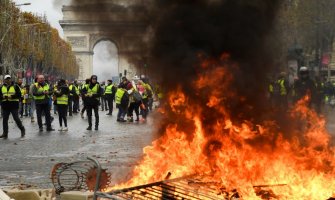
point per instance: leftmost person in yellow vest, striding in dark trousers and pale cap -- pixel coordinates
(9, 95)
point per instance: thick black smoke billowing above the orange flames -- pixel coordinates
(181, 30)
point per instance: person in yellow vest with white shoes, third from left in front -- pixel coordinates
(62, 95)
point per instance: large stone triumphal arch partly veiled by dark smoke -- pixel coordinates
(83, 30)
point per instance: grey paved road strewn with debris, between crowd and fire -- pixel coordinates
(117, 146)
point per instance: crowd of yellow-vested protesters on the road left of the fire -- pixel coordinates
(64, 97)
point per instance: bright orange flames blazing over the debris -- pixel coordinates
(247, 157)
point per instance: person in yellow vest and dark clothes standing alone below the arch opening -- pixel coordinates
(92, 93)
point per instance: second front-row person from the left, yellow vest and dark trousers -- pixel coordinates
(41, 93)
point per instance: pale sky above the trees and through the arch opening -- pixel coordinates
(104, 60)
